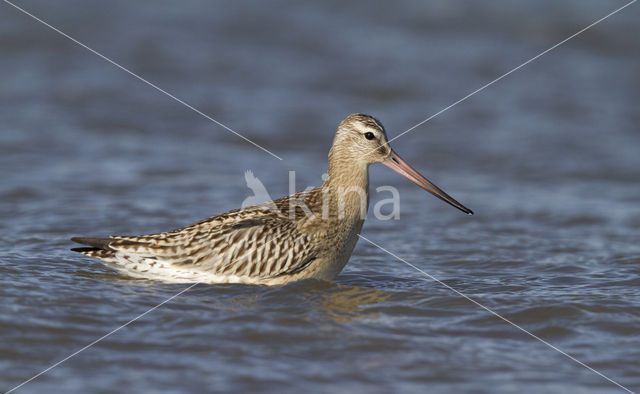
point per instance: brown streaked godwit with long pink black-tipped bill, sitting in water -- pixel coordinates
(309, 234)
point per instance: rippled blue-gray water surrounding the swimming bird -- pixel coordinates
(548, 158)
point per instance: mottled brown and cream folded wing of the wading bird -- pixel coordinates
(263, 246)
